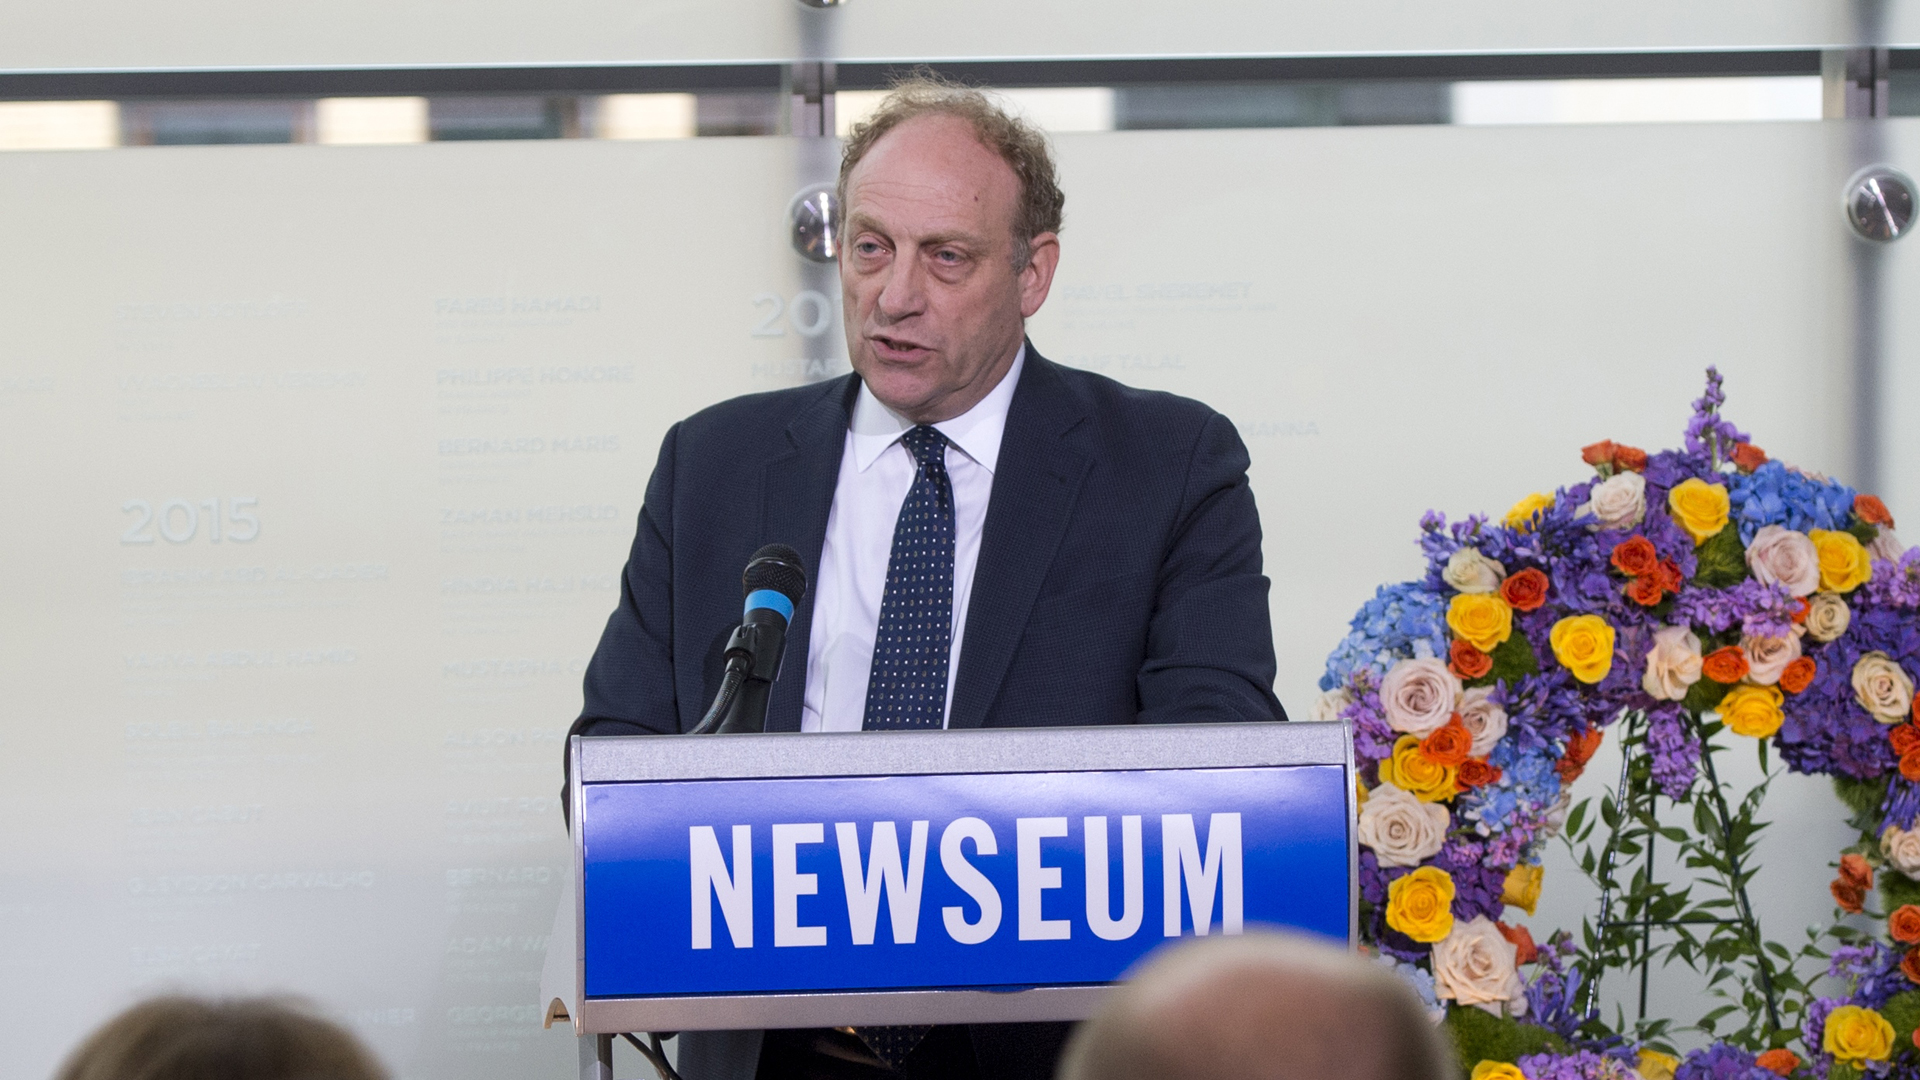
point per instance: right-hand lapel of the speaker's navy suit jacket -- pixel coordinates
(1034, 489)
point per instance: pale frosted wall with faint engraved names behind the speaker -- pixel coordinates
(325, 758)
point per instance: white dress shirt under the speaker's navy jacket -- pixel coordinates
(875, 479)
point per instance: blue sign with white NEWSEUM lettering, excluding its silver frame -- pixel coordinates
(959, 881)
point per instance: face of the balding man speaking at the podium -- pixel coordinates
(936, 308)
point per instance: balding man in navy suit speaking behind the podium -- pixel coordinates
(996, 539)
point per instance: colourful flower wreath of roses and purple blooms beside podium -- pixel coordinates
(1675, 587)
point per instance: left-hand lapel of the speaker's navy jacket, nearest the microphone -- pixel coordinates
(796, 499)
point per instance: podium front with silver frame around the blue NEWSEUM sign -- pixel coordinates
(938, 877)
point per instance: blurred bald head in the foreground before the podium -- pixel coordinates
(1259, 1008)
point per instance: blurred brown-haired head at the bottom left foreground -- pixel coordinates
(191, 1039)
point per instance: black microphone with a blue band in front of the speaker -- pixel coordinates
(775, 581)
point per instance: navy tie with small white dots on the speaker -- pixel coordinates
(913, 645)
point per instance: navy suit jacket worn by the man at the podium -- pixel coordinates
(1118, 574)
